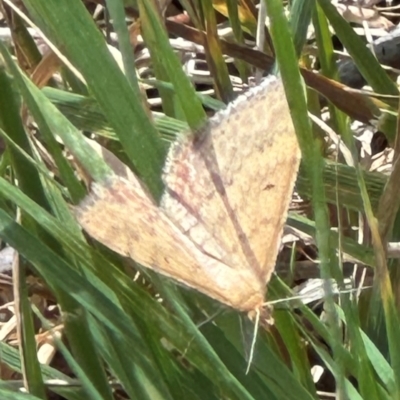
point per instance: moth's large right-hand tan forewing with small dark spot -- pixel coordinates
(262, 168)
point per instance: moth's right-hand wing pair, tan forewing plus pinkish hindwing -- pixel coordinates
(235, 181)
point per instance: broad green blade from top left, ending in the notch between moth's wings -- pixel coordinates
(69, 25)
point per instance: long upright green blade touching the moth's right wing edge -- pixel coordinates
(312, 161)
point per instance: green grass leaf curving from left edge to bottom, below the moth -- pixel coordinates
(59, 273)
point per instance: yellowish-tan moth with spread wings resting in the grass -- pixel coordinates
(218, 226)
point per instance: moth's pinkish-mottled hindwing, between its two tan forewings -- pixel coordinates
(183, 201)
